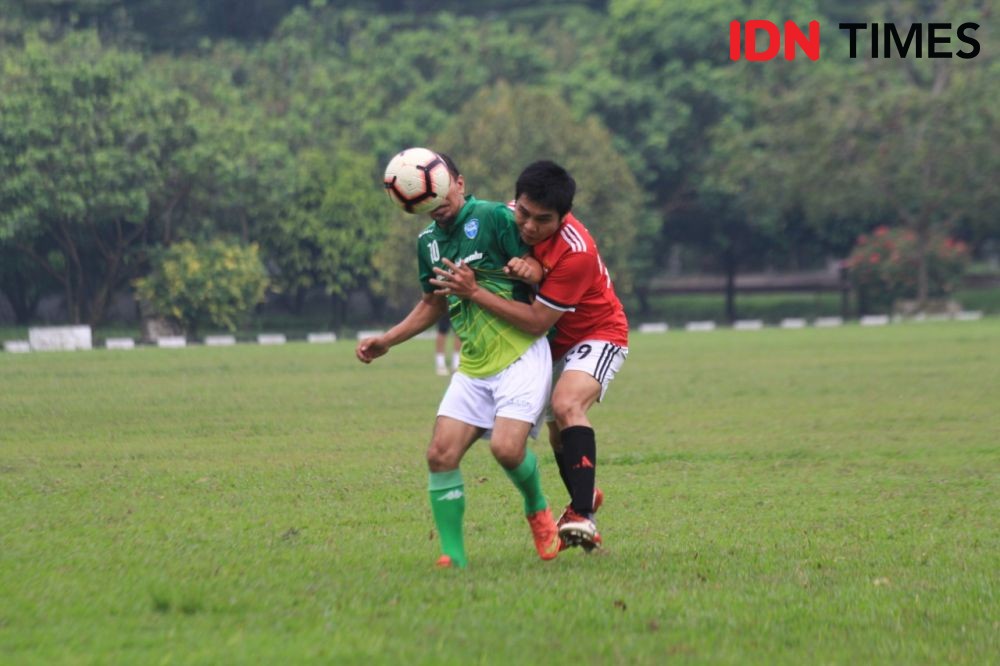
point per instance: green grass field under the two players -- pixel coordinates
(806, 496)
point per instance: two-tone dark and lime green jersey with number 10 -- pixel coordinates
(483, 236)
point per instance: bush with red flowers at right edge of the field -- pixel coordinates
(884, 264)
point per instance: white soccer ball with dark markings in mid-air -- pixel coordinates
(417, 180)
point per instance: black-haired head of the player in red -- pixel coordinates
(543, 196)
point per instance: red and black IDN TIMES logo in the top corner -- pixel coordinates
(759, 40)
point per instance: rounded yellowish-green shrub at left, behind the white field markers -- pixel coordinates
(216, 283)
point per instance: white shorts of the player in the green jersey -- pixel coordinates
(518, 392)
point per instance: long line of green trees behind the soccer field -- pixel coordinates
(129, 127)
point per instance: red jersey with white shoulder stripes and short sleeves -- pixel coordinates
(578, 284)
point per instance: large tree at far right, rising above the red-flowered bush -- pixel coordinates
(913, 142)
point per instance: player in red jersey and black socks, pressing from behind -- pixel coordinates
(591, 331)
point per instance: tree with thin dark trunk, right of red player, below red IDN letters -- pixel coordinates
(744, 207)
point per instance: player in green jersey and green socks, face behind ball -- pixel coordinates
(504, 375)
